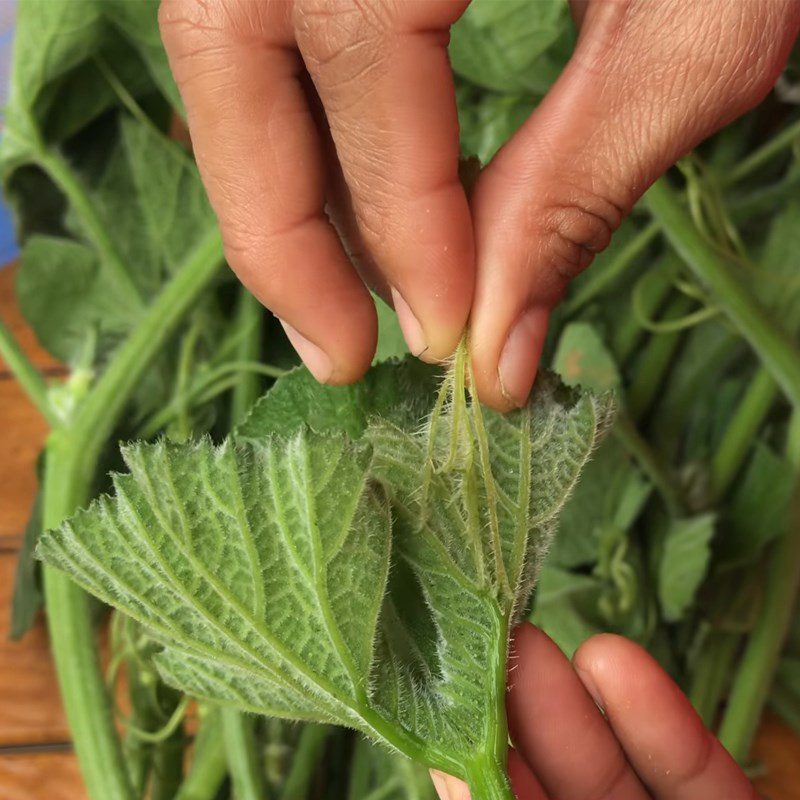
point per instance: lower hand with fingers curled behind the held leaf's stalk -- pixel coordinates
(649, 744)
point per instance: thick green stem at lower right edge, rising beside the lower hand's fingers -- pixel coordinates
(757, 667)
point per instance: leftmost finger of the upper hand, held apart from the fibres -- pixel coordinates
(260, 156)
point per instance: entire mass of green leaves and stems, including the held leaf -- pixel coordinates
(355, 557)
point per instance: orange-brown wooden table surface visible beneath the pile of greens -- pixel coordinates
(36, 758)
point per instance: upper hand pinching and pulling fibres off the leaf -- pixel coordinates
(295, 104)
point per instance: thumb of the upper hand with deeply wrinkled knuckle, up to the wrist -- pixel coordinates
(649, 79)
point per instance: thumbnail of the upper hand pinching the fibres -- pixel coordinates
(519, 359)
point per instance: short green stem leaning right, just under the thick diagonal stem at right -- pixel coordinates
(738, 438)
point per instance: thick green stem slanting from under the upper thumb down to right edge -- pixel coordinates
(777, 351)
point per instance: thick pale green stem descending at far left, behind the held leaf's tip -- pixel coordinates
(72, 638)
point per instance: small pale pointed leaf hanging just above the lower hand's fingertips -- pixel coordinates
(684, 563)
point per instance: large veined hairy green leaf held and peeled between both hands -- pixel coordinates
(263, 565)
